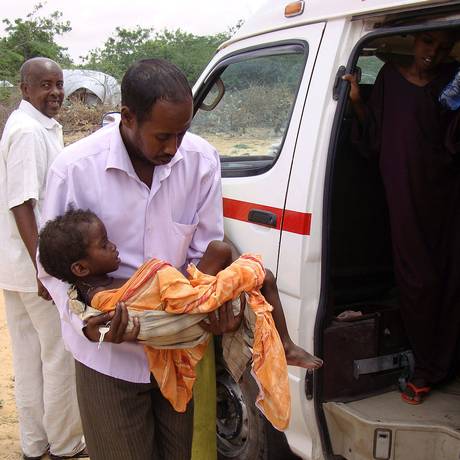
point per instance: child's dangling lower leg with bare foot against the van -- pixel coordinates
(295, 356)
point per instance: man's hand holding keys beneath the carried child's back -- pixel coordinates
(118, 323)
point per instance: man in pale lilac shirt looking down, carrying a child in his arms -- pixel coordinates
(157, 189)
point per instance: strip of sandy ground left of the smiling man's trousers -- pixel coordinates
(9, 434)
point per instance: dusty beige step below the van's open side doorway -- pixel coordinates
(383, 427)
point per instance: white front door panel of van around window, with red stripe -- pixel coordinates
(267, 191)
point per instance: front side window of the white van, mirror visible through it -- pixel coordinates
(246, 111)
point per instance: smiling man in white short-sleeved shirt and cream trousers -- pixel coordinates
(44, 371)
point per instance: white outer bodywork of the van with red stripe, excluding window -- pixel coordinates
(294, 188)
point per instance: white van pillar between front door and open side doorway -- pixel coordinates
(299, 270)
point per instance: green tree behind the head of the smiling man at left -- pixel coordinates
(32, 37)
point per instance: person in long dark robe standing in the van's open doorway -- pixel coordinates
(416, 142)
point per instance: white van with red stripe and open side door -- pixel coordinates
(295, 191)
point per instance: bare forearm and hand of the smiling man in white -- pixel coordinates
(27, 227)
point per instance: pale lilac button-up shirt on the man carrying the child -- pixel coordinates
(173, 220)
